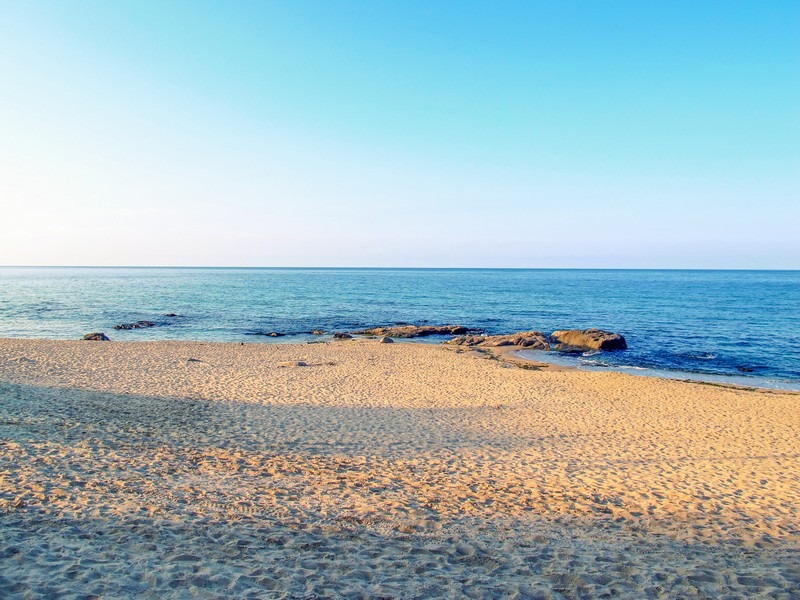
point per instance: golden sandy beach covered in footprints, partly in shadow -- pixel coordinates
(364, 470)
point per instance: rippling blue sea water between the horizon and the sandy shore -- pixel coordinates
(729, 324)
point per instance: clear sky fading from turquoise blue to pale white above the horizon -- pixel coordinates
(400, 133)
